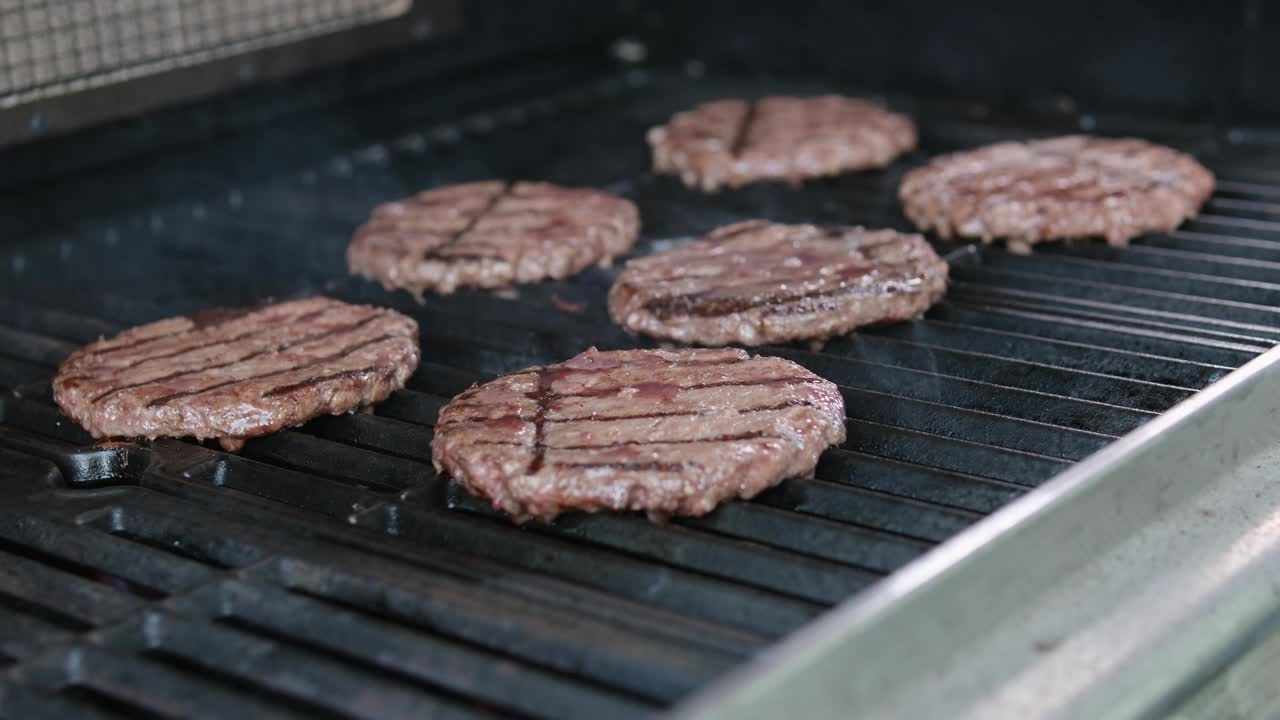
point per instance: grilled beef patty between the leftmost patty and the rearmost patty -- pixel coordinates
(491, 235)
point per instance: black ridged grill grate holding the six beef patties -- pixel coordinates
(328, 572)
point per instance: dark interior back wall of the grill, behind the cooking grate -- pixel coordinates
(1167, 61)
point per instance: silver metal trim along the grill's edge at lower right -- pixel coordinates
(1171, 528)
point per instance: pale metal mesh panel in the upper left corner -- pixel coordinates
(51, 48)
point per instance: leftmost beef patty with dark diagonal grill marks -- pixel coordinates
(239, 373)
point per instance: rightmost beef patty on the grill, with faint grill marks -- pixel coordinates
(1057, 189)
